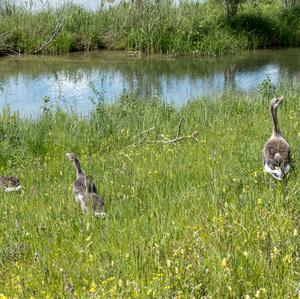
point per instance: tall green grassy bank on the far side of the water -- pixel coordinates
(155, 27)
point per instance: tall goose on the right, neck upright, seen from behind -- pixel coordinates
(276, 152)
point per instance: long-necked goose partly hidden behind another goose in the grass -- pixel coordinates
(79, 186)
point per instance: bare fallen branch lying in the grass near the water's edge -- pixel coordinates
(164, 139)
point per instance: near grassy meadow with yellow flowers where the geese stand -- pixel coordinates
(184, 219)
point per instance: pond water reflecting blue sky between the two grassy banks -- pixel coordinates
(68, 79)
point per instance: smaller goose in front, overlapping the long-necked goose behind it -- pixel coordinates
(93, 201)
